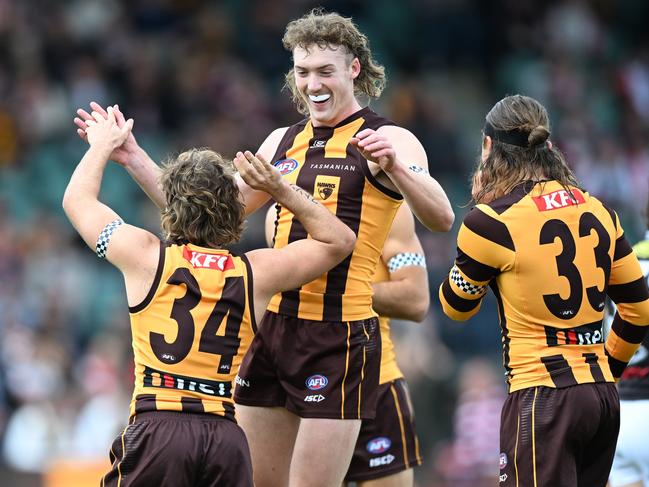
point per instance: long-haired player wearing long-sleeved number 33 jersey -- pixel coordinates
(550, 252)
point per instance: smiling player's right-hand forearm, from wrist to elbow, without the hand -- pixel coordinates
(425, 196)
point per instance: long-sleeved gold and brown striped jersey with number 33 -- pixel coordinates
(550, 260)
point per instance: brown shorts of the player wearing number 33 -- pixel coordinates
(559, 437)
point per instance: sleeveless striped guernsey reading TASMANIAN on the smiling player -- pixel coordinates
(323, 162)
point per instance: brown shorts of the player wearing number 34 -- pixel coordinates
(176, 449)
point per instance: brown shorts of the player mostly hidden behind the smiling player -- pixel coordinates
(388, 443)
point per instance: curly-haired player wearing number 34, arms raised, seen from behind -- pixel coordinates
(193, 304)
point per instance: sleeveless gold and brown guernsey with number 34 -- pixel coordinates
(191, 331)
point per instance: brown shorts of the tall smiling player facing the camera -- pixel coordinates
(315, 369)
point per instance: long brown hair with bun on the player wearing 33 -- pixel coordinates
(508, 165)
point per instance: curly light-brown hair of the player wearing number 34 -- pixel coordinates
(203, 205)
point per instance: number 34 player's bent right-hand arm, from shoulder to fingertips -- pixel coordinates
(302, 261)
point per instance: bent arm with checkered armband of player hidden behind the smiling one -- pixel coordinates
(406, 294)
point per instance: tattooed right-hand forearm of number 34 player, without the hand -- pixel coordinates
(319, 222)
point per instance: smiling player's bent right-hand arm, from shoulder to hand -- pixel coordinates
(403, 159)
